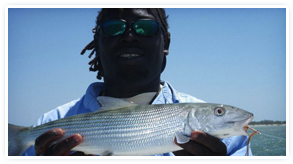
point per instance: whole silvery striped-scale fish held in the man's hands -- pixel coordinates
(122, 128)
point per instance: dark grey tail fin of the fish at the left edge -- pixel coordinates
(15, 144)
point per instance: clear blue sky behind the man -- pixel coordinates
(234, 56)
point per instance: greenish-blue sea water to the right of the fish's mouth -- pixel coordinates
(271, 141)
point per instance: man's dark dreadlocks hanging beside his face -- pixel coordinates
(95, 64)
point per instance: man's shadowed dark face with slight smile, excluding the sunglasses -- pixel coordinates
(130, 58)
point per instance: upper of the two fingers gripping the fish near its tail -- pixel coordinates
(43, 141)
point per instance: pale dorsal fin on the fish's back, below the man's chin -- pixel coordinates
(108, 103)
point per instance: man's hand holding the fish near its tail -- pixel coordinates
(43, 143)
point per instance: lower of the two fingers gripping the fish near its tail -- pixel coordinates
(64, 147)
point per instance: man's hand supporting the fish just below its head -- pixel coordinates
(202, 144)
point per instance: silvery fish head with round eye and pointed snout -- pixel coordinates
(219, 120)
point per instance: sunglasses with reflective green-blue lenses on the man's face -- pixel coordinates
(142, 27)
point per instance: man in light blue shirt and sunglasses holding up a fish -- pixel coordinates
(130, 47)
